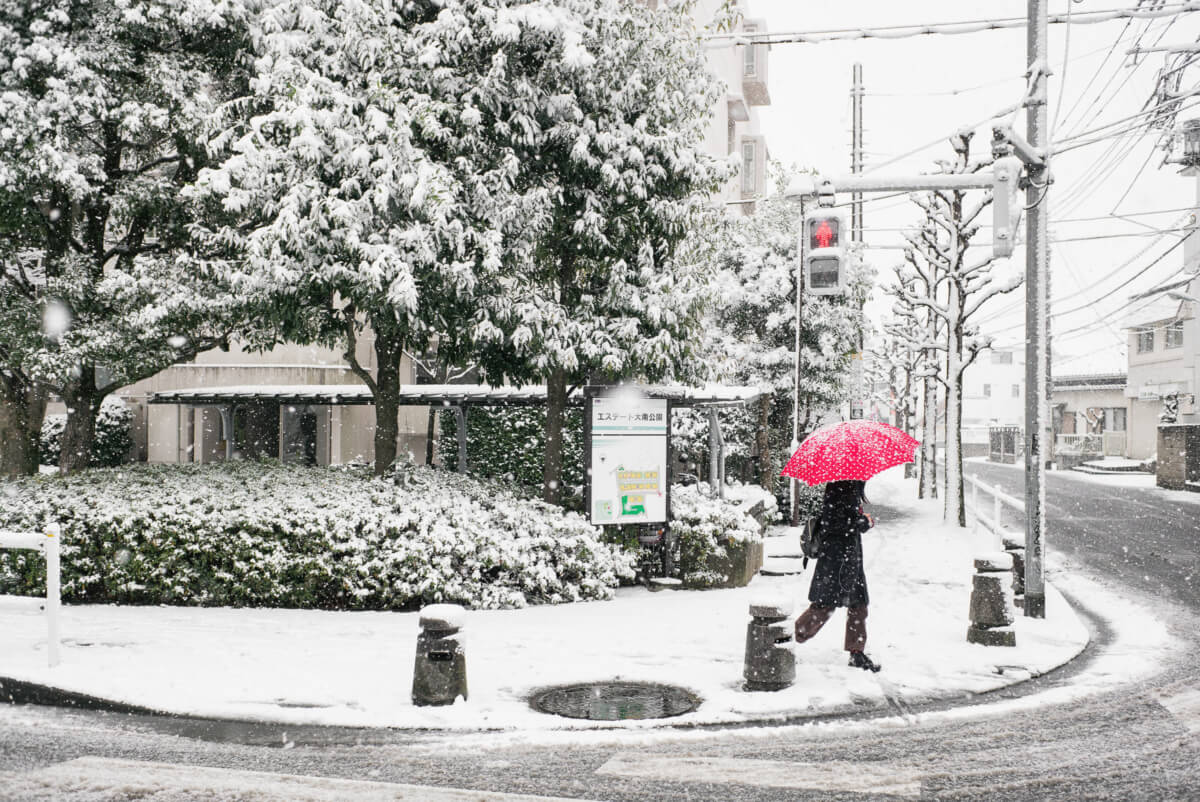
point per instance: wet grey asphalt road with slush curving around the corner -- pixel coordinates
(1136, 741)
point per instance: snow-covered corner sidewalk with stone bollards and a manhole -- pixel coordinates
(356, 668)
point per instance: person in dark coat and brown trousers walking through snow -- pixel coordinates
(839, 579)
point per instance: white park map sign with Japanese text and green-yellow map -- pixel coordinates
(628, 478)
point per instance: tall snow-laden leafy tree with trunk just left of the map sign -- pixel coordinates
(617, 148)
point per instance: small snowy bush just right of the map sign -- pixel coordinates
(706, 526)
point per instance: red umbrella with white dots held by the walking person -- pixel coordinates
(856, 450)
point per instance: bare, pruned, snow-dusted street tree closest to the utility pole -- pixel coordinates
(952, 290)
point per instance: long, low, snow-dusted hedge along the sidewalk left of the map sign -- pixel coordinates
(268, 535)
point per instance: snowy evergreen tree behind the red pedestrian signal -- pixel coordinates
(751, 332)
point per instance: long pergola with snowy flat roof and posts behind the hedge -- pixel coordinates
(460, 398)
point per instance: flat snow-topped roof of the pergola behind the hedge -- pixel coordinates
(446, 394)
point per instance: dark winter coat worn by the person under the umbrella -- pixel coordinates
(839, 579)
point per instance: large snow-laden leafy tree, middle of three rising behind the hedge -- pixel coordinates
(380, 184)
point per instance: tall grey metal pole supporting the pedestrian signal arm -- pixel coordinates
(1037, 334)
